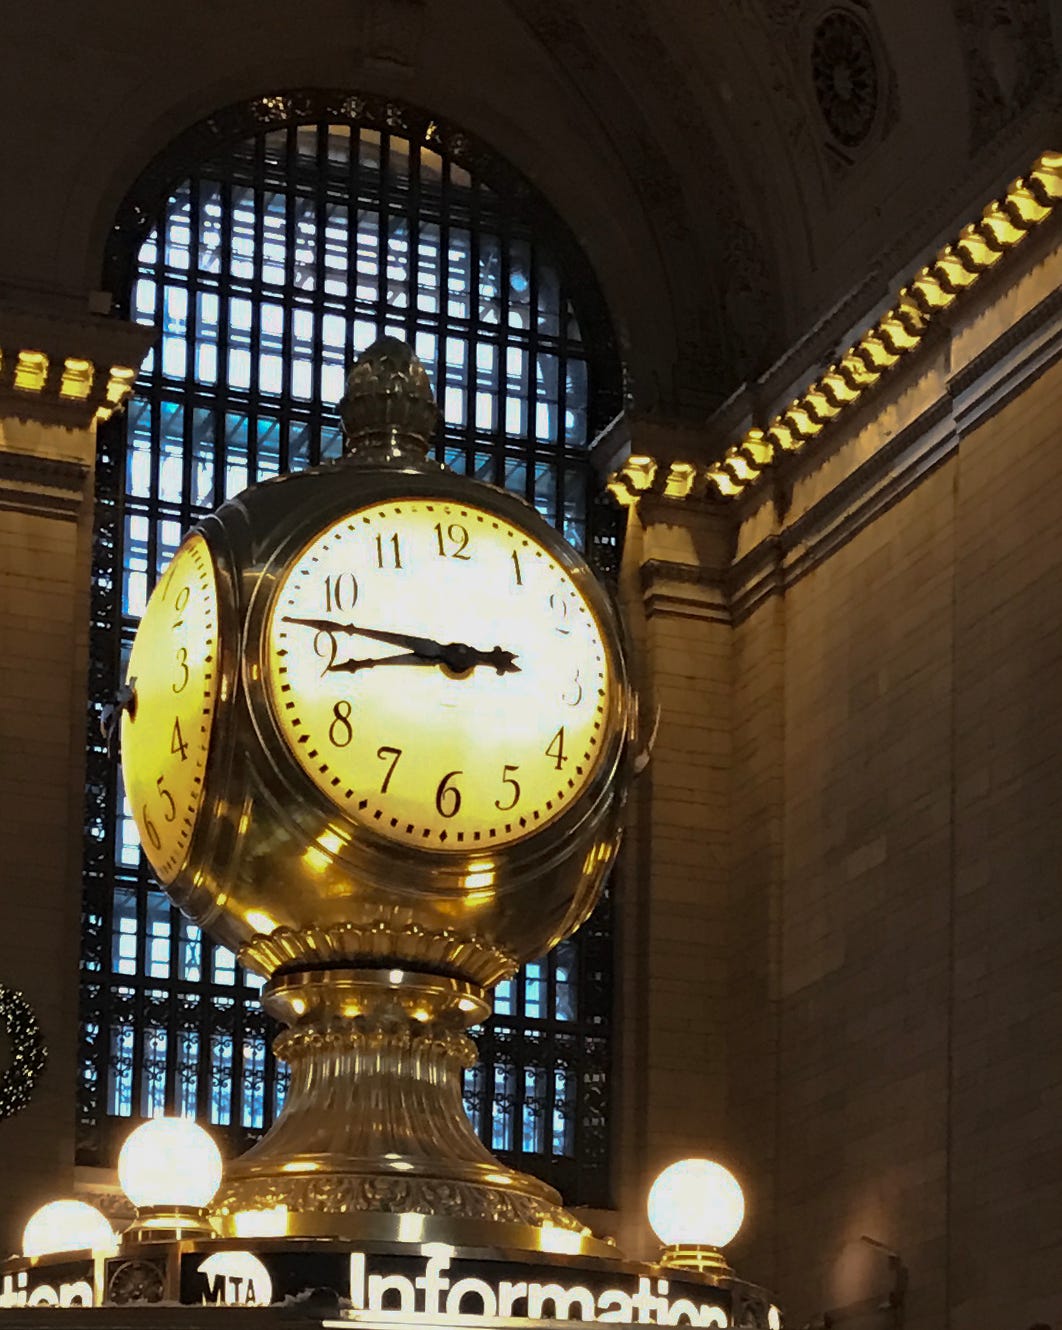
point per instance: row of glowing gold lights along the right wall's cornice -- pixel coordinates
(980, 247)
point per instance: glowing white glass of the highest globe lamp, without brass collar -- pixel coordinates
(170, 1162)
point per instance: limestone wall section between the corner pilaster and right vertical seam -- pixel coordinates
(864, 950)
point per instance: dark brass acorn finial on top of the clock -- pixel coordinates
(388, 409)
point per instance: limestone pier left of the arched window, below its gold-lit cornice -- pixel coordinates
(46, 534)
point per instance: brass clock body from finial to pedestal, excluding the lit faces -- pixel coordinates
(379, 953)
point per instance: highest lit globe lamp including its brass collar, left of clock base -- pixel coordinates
(171, 1170)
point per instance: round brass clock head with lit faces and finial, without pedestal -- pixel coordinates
(424, 730)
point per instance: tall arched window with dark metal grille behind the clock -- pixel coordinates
(271, 245)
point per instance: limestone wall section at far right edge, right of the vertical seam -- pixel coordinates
(1007, 926)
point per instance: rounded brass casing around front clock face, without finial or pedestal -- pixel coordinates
(292, 878)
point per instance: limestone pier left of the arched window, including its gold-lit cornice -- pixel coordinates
(59, 374)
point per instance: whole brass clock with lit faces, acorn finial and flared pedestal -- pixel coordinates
(379, 744)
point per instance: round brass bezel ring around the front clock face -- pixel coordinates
(364, 849)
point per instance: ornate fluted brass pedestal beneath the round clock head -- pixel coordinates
(373, 1140)
